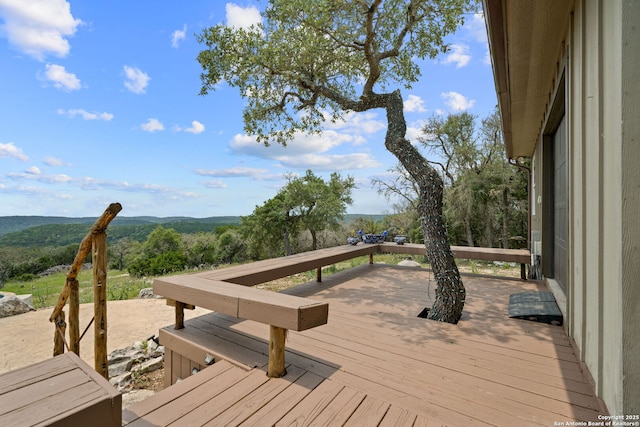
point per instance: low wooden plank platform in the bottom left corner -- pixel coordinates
(61, 391)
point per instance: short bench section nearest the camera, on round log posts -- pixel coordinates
(281, 312)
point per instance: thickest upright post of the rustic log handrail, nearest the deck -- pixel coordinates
(100, 302)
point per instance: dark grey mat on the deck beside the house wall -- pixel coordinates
(535, 306)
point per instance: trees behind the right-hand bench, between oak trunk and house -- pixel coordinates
(485, 197)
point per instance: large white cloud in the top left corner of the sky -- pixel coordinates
(38, 27)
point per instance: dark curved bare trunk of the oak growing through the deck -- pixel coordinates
(450, 292)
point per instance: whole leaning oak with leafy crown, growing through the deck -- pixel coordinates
(313, 61)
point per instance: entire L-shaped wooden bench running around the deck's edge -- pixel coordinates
(219, 290)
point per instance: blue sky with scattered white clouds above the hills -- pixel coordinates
(99, 103)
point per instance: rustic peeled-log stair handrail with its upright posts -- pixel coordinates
(95, 242)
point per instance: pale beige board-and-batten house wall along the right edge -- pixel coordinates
(600, 64)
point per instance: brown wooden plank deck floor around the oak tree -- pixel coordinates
(377, 363)
